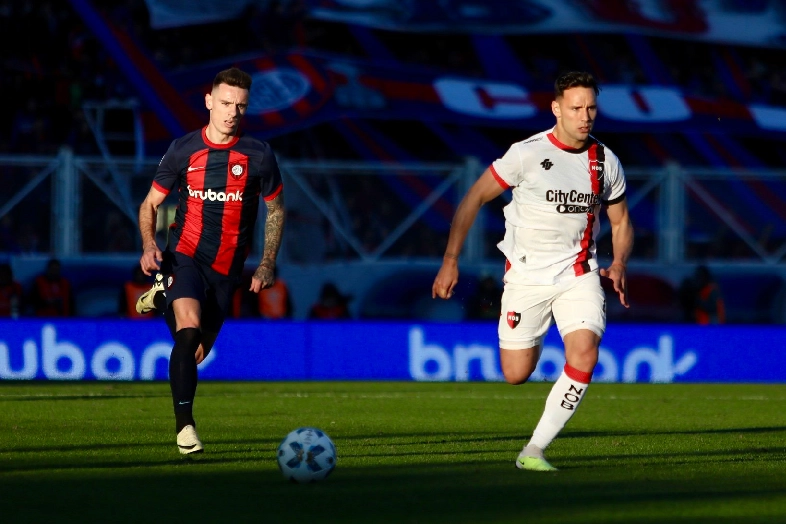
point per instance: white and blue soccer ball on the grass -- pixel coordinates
(306, 455)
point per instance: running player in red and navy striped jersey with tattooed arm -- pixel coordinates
(220, 175)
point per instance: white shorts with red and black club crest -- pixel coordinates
(528, 310)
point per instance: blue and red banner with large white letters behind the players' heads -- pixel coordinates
(299, 89)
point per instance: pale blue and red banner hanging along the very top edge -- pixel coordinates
(740, 22)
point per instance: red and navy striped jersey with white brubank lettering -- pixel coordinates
(219, 190)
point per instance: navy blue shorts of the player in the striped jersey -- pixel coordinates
(185, 278)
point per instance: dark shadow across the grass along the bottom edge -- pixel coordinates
(454, 493)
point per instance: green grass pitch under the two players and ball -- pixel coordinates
(407, 453)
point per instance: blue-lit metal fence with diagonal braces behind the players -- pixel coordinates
(70, 205)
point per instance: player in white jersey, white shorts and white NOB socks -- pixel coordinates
(560, 178)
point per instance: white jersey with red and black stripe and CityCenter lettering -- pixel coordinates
(553, 219)
